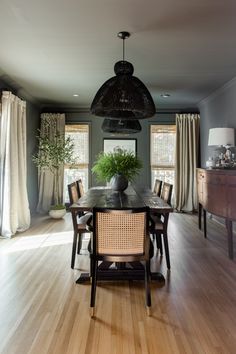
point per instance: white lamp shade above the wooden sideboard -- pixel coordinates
(221, 136)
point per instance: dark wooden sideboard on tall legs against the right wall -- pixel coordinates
(217, 195)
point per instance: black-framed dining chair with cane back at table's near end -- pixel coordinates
(120, 236)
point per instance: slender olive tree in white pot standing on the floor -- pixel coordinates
(53, 153)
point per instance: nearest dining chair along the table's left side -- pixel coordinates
(79, 220)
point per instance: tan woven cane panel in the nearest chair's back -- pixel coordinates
(120, 233)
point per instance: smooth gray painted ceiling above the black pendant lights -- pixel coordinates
(52, 49)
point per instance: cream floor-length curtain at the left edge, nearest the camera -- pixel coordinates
(14, 205)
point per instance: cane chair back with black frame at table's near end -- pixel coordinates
(121, 233)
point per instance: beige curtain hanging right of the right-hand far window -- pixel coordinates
(187, 147)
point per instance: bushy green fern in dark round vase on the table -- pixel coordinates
(119, 168)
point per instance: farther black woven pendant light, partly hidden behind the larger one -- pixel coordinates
(121, 126)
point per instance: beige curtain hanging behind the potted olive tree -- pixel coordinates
(46, 182)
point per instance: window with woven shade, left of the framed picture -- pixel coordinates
(79, 133)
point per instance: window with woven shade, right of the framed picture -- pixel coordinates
(163, 152)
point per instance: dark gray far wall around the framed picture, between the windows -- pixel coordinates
(143, 141)
